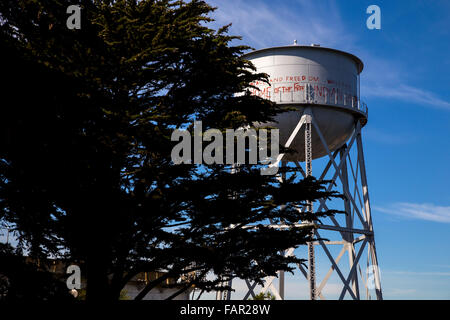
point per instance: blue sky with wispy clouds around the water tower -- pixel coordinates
(406, 84)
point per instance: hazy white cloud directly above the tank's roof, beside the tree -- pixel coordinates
(263, 24)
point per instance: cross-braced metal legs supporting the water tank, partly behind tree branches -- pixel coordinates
(355, 234)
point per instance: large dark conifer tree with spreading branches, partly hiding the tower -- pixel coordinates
(85, 166)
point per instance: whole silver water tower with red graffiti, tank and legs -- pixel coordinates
(322, 84)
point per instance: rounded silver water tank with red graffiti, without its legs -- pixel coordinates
(325, 79)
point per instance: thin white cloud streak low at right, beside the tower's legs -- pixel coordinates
(424, 211)
